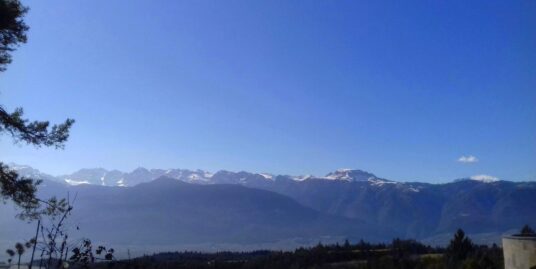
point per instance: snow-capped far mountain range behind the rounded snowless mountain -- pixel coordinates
(416, 210)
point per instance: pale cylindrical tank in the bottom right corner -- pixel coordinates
(519, 252)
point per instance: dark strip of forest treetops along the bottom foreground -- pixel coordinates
(398, 254)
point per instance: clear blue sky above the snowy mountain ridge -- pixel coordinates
(408, 90)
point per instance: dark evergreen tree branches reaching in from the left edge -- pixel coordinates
(38, 133)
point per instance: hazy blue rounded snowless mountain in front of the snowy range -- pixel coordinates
(166, 211)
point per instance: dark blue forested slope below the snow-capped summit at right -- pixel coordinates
(419, 209)
